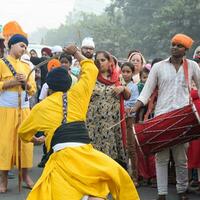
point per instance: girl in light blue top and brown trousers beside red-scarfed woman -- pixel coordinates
(128, 70)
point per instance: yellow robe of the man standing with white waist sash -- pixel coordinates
(9, 120)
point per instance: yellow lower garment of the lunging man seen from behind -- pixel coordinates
(77, 171)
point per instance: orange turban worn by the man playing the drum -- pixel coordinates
(185, 40)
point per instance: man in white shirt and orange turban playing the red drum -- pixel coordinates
(168, 77)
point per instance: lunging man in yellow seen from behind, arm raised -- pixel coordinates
(74, 169)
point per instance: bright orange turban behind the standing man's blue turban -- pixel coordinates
(12, 28)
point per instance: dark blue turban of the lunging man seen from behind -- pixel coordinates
(58, 79)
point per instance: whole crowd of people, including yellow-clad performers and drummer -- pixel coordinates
(82, 105)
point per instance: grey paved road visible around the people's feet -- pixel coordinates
(146, 193)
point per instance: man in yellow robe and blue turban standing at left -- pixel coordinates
(13, 110)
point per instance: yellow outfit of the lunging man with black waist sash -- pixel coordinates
(74, 171)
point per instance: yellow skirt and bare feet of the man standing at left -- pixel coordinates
(9, 147)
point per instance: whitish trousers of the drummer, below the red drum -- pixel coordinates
(162, 159)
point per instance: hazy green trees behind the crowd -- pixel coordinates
(133, 24)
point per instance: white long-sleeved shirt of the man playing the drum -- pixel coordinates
(172, 88)
